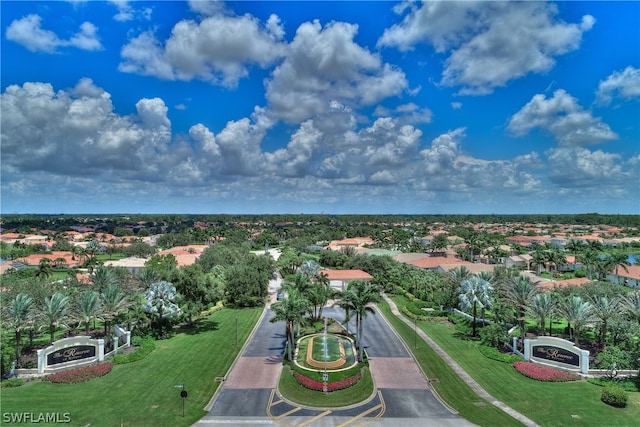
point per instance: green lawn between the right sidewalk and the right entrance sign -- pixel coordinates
(549, 404)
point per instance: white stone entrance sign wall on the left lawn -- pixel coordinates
(70, 352)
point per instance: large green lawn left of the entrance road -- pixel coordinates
(142, 393)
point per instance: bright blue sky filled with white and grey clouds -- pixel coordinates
(311, 107)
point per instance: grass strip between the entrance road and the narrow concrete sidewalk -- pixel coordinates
(449, 386)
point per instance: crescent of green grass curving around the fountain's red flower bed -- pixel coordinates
(291, 390)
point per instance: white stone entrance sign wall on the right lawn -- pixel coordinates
(557, 352)
